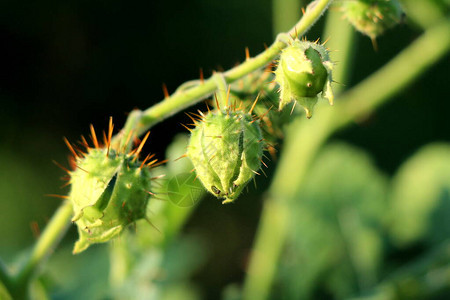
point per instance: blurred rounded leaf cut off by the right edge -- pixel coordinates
(420, 200)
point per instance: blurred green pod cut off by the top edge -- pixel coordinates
(372, 17)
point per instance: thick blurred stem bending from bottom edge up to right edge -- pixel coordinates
(304, 139)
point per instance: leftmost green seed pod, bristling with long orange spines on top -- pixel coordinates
(110, 190)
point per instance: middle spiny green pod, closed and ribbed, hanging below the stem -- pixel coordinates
(226, 150)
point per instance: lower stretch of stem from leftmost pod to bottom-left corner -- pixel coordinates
(48, 240)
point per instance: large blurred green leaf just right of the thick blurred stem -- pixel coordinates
(335, 236)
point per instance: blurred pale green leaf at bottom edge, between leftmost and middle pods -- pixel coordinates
(156, 272)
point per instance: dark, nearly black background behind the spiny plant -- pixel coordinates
(66, 64)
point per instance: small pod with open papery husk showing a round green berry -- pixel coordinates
(304, 75)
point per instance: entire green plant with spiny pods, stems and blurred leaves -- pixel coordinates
(121, 189)
